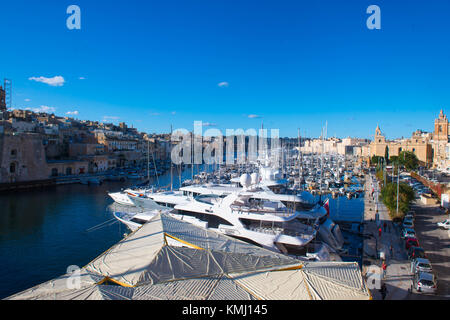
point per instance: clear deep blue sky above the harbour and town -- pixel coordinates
(289, 64)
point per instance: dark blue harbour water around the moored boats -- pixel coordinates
(45, 231)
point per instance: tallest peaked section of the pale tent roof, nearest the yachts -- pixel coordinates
(167, 249)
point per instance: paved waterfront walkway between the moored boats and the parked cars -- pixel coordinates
(398, 276)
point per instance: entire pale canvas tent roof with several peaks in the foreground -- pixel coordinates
(171, 259)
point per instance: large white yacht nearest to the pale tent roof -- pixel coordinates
(264, 223)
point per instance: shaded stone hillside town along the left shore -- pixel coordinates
(38, 146)
